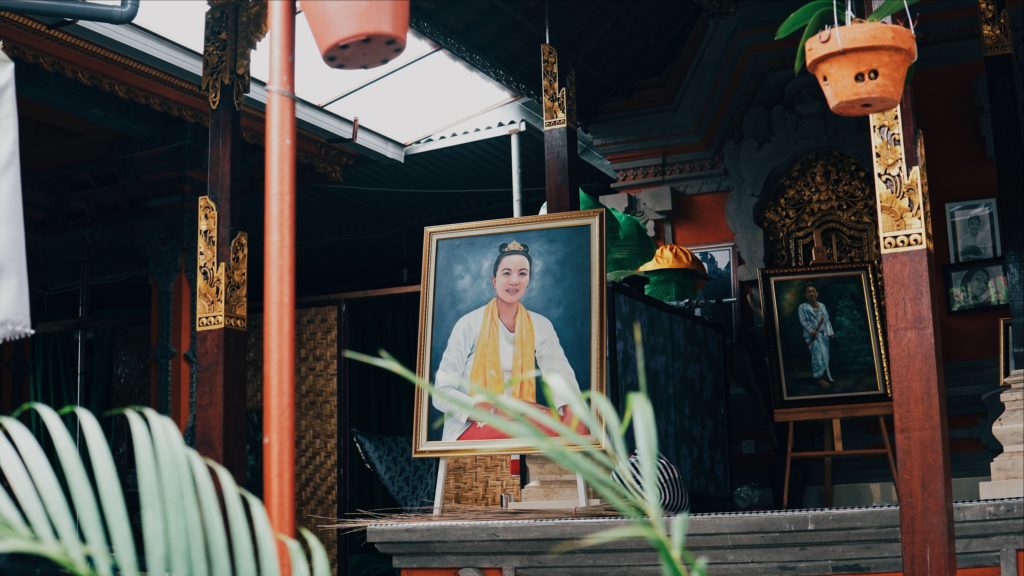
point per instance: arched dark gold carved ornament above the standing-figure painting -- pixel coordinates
(827, 195)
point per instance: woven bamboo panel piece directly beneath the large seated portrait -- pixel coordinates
(480, 481)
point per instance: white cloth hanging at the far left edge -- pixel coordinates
(15, 317)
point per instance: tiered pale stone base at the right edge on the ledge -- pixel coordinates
(1008, 469)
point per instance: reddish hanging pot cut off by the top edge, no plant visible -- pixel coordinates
(358, 34)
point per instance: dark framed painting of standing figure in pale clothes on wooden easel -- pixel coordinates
(825, 340)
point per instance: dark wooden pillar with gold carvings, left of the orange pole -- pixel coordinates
(233, 27)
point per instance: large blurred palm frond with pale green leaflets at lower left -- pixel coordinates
(186, 529)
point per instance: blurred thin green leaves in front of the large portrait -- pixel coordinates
(594, 459)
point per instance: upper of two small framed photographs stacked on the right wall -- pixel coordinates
(974, 230)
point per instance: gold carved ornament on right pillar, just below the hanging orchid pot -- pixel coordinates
(899, 194)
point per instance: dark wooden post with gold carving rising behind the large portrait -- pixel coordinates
(561, 154)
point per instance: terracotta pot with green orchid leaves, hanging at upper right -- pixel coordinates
(867, 74)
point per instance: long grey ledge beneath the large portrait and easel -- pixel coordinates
(794, 543)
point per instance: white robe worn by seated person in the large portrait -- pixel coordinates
(453, 374)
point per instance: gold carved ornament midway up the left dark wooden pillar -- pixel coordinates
(222, 296)
